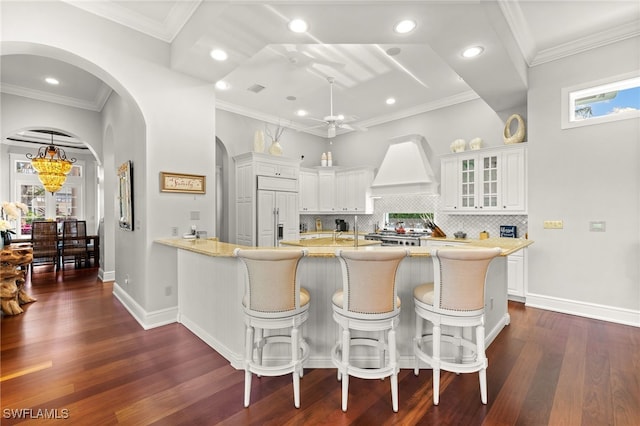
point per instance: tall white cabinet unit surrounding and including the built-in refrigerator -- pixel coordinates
(280, 175)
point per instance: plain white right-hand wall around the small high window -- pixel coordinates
(578, 175)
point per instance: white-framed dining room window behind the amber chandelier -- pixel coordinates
(67, 203)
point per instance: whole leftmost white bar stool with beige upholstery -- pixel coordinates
(275, 302)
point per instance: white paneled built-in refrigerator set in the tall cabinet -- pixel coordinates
(278, 211)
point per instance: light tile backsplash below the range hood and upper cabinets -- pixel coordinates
(419, 203)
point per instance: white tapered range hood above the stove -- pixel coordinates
(405, 169)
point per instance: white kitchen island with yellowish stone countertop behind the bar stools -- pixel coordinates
(211, 287)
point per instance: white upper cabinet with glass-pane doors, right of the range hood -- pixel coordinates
(487, 181)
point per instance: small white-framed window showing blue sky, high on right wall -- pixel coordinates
(615, 98)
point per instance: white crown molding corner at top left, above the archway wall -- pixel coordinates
(166, 30)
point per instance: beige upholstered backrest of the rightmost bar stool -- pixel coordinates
(459, 278)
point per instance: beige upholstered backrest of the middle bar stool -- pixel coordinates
(369, 280)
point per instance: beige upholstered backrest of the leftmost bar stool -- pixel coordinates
(271, 279)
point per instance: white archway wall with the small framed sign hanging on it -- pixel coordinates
(179, 133)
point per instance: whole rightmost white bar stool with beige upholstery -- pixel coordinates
(454, 306)
